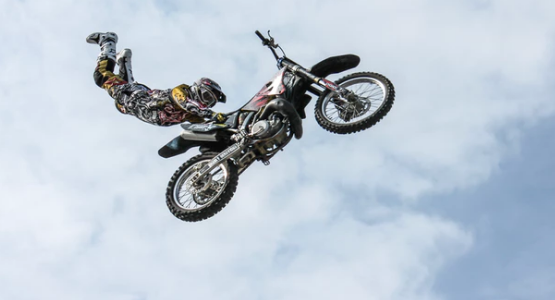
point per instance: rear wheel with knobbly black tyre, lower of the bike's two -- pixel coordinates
(199, 201)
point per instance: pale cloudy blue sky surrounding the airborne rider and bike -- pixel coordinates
(450, 196)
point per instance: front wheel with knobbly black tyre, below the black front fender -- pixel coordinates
(370, 97)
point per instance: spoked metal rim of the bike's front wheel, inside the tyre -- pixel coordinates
(370, 97)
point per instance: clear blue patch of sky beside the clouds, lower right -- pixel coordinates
(511, 216)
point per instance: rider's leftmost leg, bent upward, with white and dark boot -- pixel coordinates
(104, 75)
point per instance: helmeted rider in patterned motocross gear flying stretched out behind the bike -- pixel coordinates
(159, 107)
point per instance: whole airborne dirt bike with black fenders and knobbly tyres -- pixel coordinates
(204, 184)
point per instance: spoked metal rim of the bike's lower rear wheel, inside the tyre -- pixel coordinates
(196, 197)
